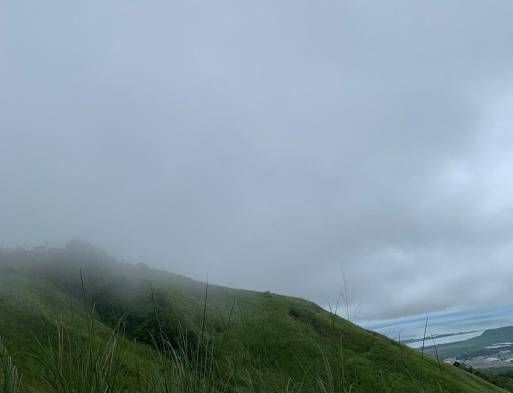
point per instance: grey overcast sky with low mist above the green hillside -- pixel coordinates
(271, 144)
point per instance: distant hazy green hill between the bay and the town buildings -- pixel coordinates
(476, 346)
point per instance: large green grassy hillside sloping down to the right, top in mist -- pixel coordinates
(76, 320)
